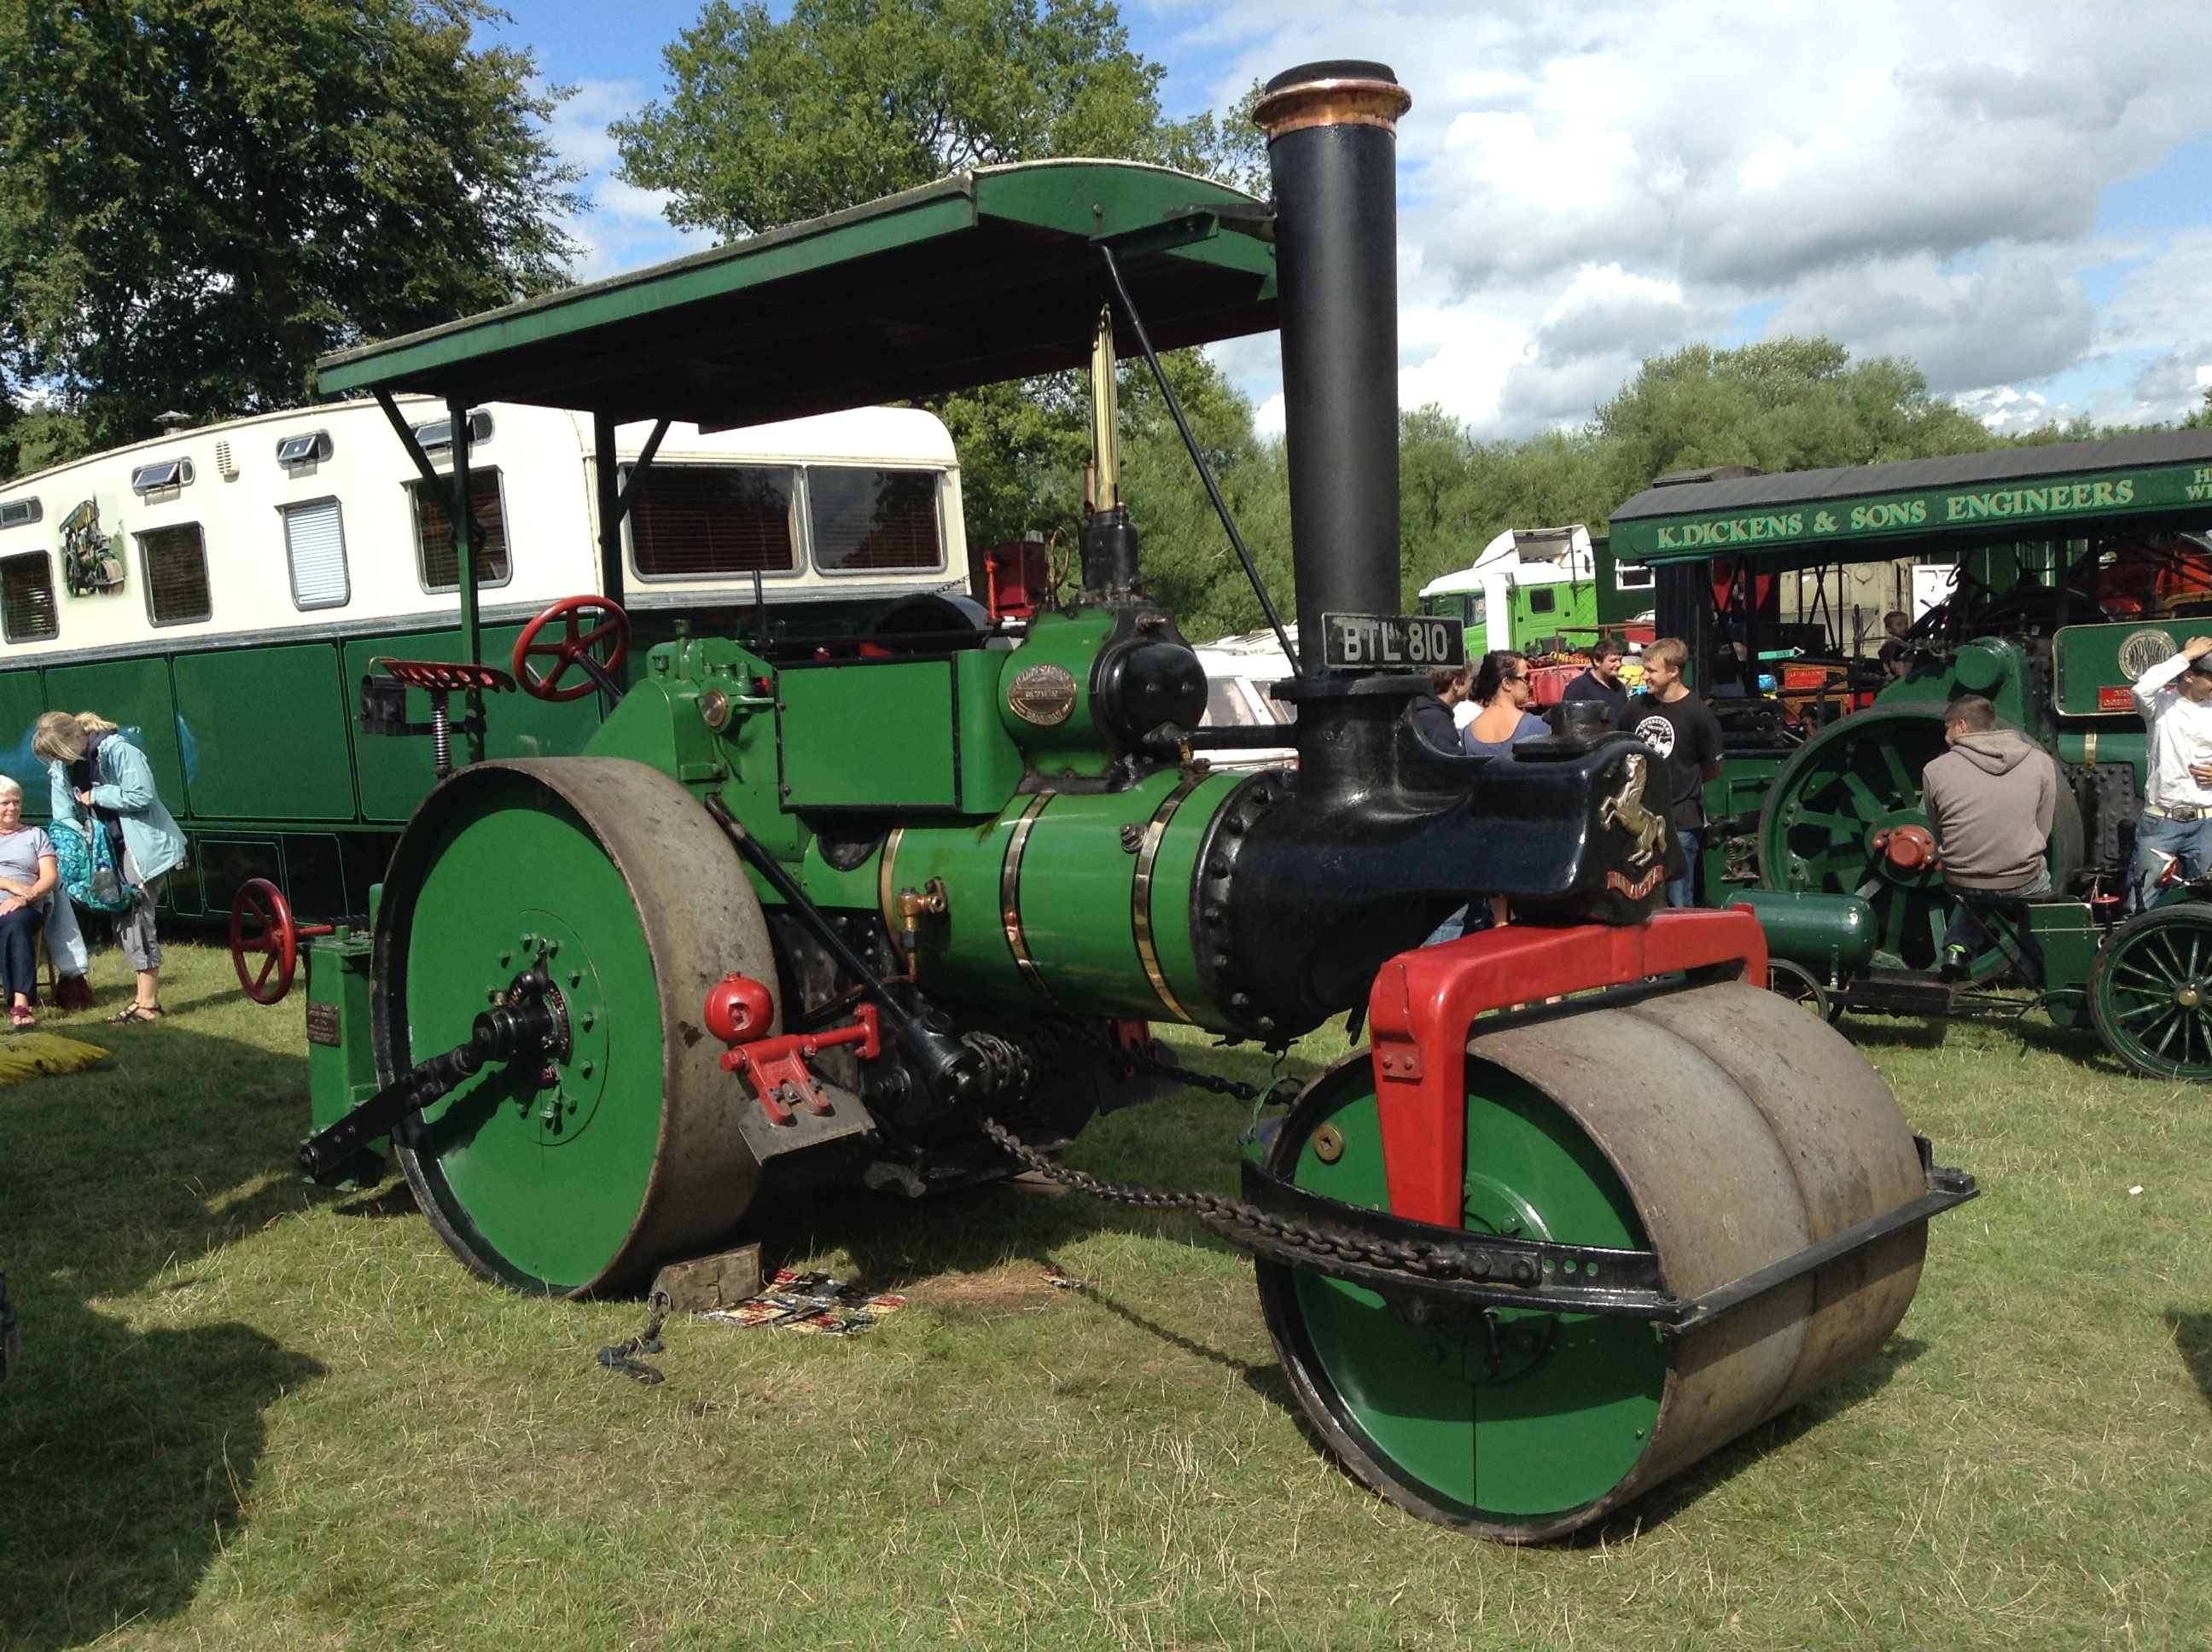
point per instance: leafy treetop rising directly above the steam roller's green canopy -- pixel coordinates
(848, 101)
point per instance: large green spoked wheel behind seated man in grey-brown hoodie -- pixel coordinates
(1837, 799)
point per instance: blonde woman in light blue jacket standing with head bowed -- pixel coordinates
(103, 784)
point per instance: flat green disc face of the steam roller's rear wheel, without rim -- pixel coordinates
(550, 1209)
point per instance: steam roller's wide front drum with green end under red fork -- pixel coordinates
(1718, 1127)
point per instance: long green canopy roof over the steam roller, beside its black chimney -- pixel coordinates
(974, 280)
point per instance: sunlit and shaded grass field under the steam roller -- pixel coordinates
(262, 1416)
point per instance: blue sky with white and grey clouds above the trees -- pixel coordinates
(2016, 196)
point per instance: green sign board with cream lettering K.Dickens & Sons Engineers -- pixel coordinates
(1912, 514)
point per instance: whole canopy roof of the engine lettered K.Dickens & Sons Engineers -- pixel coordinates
(1921, 508)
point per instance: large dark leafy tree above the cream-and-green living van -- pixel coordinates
(202, 196)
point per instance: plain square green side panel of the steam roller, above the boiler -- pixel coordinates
(868, 735)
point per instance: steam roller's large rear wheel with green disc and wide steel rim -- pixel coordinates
(620, 1151)
